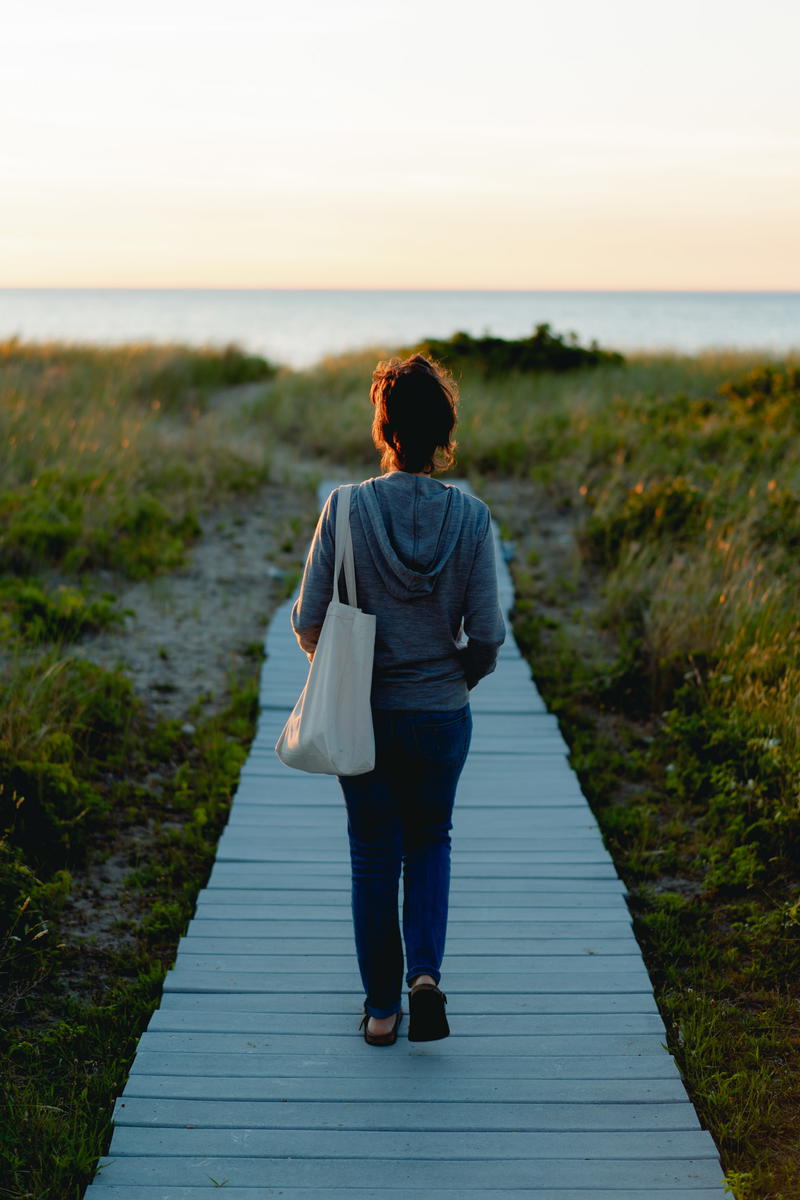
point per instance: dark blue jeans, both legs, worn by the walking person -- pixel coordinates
(400, 817)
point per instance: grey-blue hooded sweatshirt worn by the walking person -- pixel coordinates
(425, 563)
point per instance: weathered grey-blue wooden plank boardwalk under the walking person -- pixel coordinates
(556, 1084)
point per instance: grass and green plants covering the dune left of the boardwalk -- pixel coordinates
(110, 814)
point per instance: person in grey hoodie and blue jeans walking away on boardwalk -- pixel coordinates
(425, 567)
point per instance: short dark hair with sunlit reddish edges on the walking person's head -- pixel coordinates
(416, 404)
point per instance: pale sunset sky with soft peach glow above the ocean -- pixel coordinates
(437, 145)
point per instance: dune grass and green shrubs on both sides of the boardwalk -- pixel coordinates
(652, 512)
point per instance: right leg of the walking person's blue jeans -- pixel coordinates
(438, 746)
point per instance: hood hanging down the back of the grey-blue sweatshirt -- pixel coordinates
(412, 525)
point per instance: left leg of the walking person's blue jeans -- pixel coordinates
(376, 837)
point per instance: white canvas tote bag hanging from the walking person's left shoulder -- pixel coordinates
(330, 730)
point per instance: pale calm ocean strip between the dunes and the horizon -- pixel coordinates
(298, 328)
